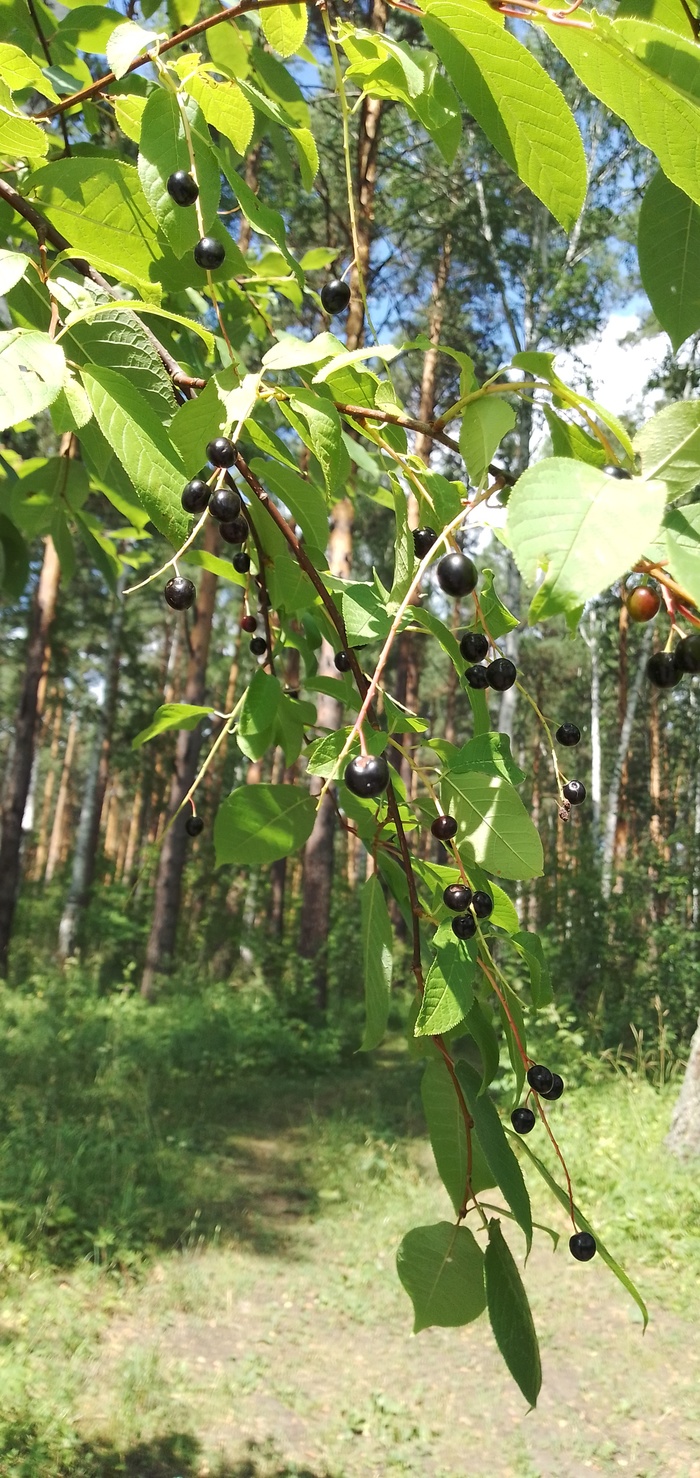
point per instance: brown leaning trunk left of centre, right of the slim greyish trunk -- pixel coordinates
(172, 859)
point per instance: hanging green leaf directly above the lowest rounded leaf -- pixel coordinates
(448, 1137)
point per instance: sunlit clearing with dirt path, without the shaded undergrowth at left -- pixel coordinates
(275, 1340)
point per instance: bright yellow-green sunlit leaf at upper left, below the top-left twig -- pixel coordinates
(100, 206)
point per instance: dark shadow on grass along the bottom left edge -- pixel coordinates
(174, 1457)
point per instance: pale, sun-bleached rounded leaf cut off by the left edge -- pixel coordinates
(32, 375)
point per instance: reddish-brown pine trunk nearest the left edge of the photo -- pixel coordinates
(18, 777)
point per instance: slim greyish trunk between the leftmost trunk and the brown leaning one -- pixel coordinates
(94, 791)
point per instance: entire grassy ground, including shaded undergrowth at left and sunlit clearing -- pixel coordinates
(240, 1313)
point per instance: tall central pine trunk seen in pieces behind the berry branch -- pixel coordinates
(320, 851)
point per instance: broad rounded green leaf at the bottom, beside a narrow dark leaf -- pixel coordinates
(442, 1270)
